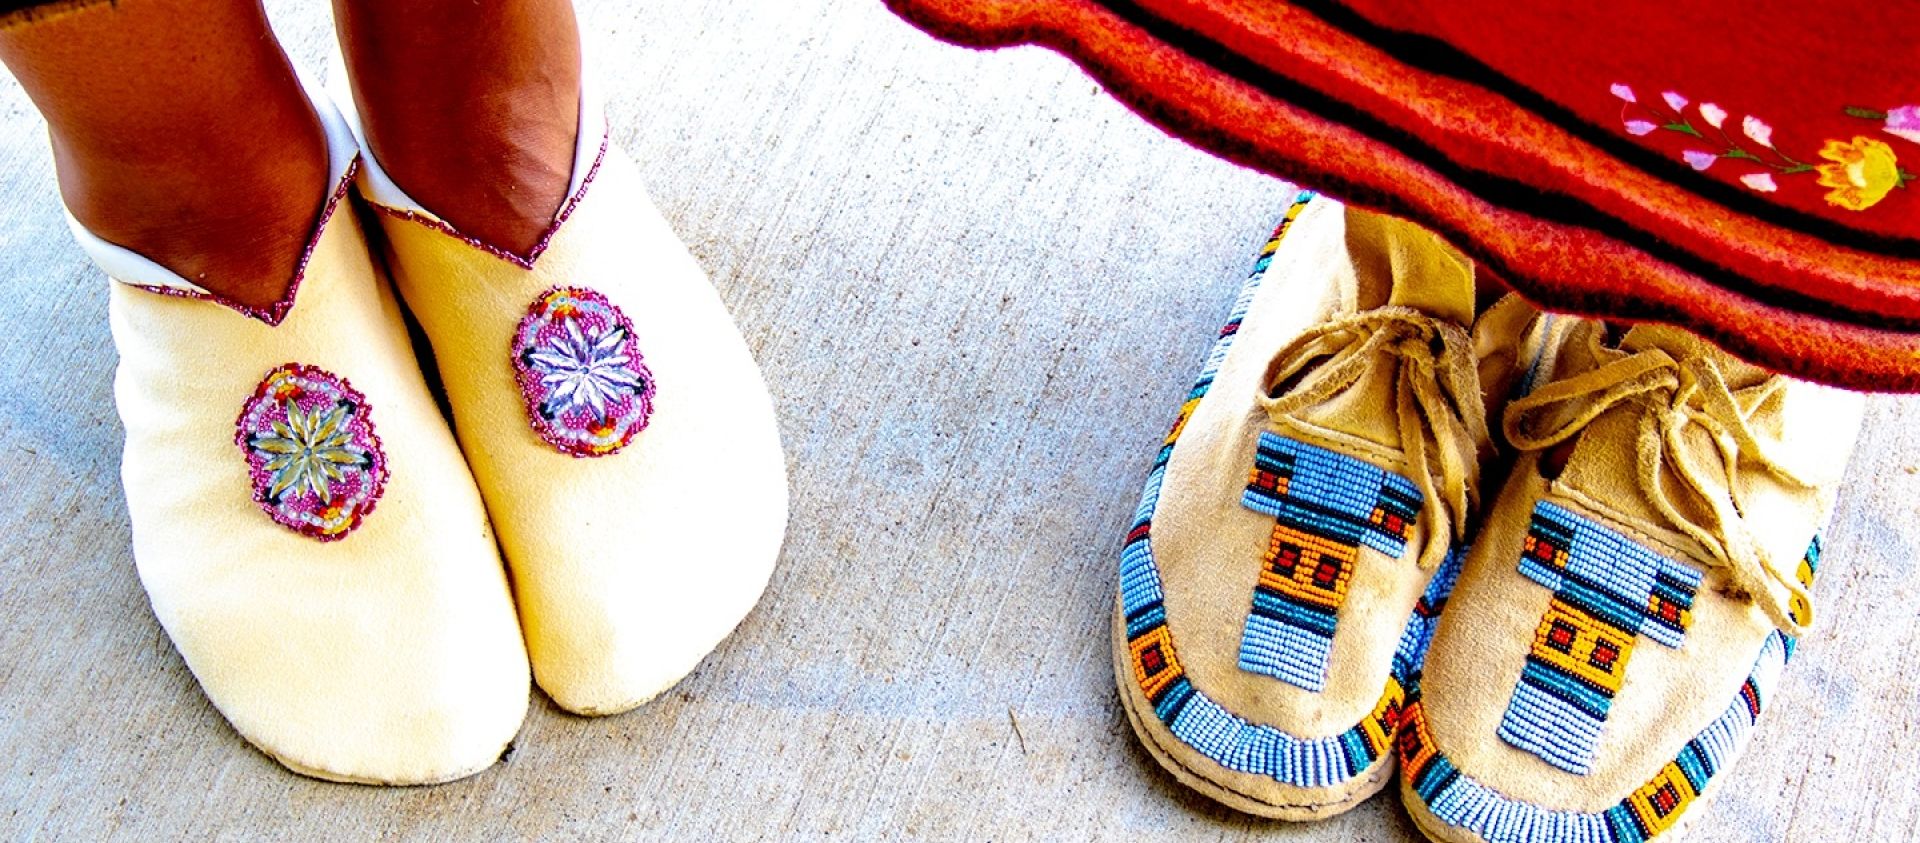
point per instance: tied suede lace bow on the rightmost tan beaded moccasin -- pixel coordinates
(1675, 398)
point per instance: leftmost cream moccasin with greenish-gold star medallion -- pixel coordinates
(302, 519)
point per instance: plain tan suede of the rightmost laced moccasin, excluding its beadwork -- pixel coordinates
(1669, 694)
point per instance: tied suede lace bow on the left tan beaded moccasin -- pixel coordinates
(1437, 398)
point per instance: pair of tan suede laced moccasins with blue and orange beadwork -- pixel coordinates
(1314, 596)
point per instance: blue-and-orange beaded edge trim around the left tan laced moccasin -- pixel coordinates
(1191, 715)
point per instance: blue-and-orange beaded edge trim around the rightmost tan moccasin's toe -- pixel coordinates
(1644, 815)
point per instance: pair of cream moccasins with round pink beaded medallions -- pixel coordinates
(329, 556)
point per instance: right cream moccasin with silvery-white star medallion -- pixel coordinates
(623, 439)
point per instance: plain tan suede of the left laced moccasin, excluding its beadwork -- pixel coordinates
(1207, 548)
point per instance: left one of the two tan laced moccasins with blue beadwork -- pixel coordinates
(1280, 581)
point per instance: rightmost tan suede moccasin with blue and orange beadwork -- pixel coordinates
(1633, 596)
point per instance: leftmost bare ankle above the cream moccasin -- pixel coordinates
(181, 133)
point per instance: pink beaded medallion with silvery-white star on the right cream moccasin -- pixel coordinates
(587, 387)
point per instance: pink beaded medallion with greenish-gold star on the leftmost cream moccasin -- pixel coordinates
(312, 452)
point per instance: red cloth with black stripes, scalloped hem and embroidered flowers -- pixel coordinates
(1746, 170)
